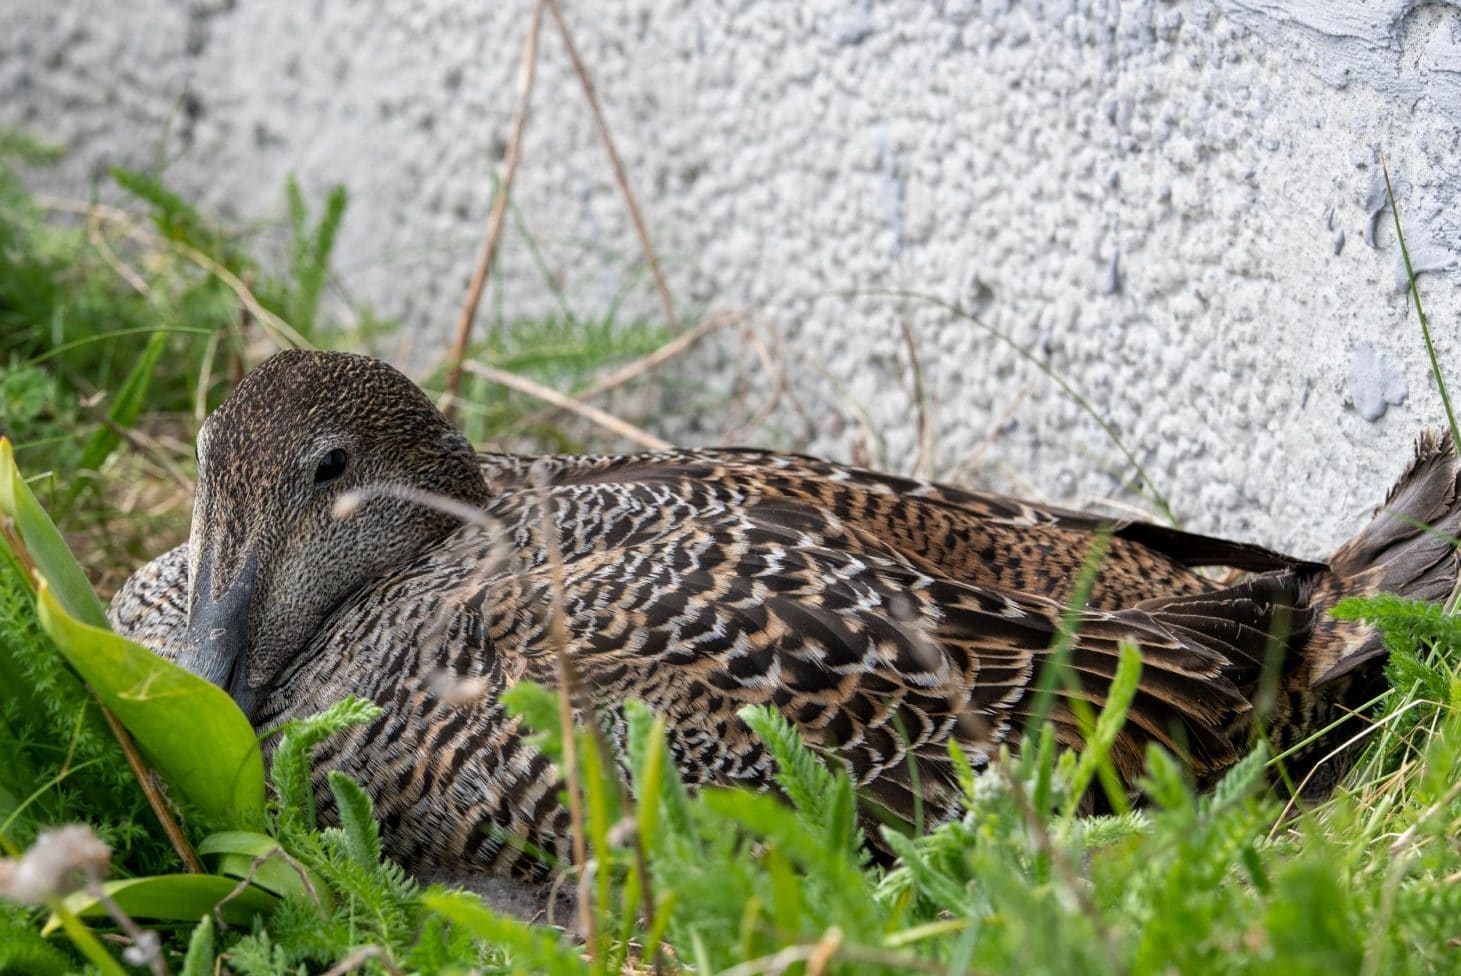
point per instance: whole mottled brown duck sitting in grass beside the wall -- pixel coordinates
(882, 616)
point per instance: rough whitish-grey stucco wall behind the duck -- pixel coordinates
(1177, 207)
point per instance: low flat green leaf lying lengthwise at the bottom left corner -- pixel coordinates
(182, 898)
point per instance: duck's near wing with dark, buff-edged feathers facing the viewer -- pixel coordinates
(701, 598)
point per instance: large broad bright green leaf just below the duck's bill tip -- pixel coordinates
(189, 730)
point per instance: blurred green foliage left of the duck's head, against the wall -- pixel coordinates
(90, 303)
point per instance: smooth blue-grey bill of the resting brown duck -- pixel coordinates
(217, 647)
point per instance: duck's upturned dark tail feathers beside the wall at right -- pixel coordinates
(1408, 549)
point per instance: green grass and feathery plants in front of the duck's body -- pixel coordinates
(1221, 883)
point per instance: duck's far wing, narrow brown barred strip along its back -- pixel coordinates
(978, 538)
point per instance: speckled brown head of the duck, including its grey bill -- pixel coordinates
(268, 557)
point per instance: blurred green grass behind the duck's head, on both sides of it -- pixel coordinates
(122, 328)
